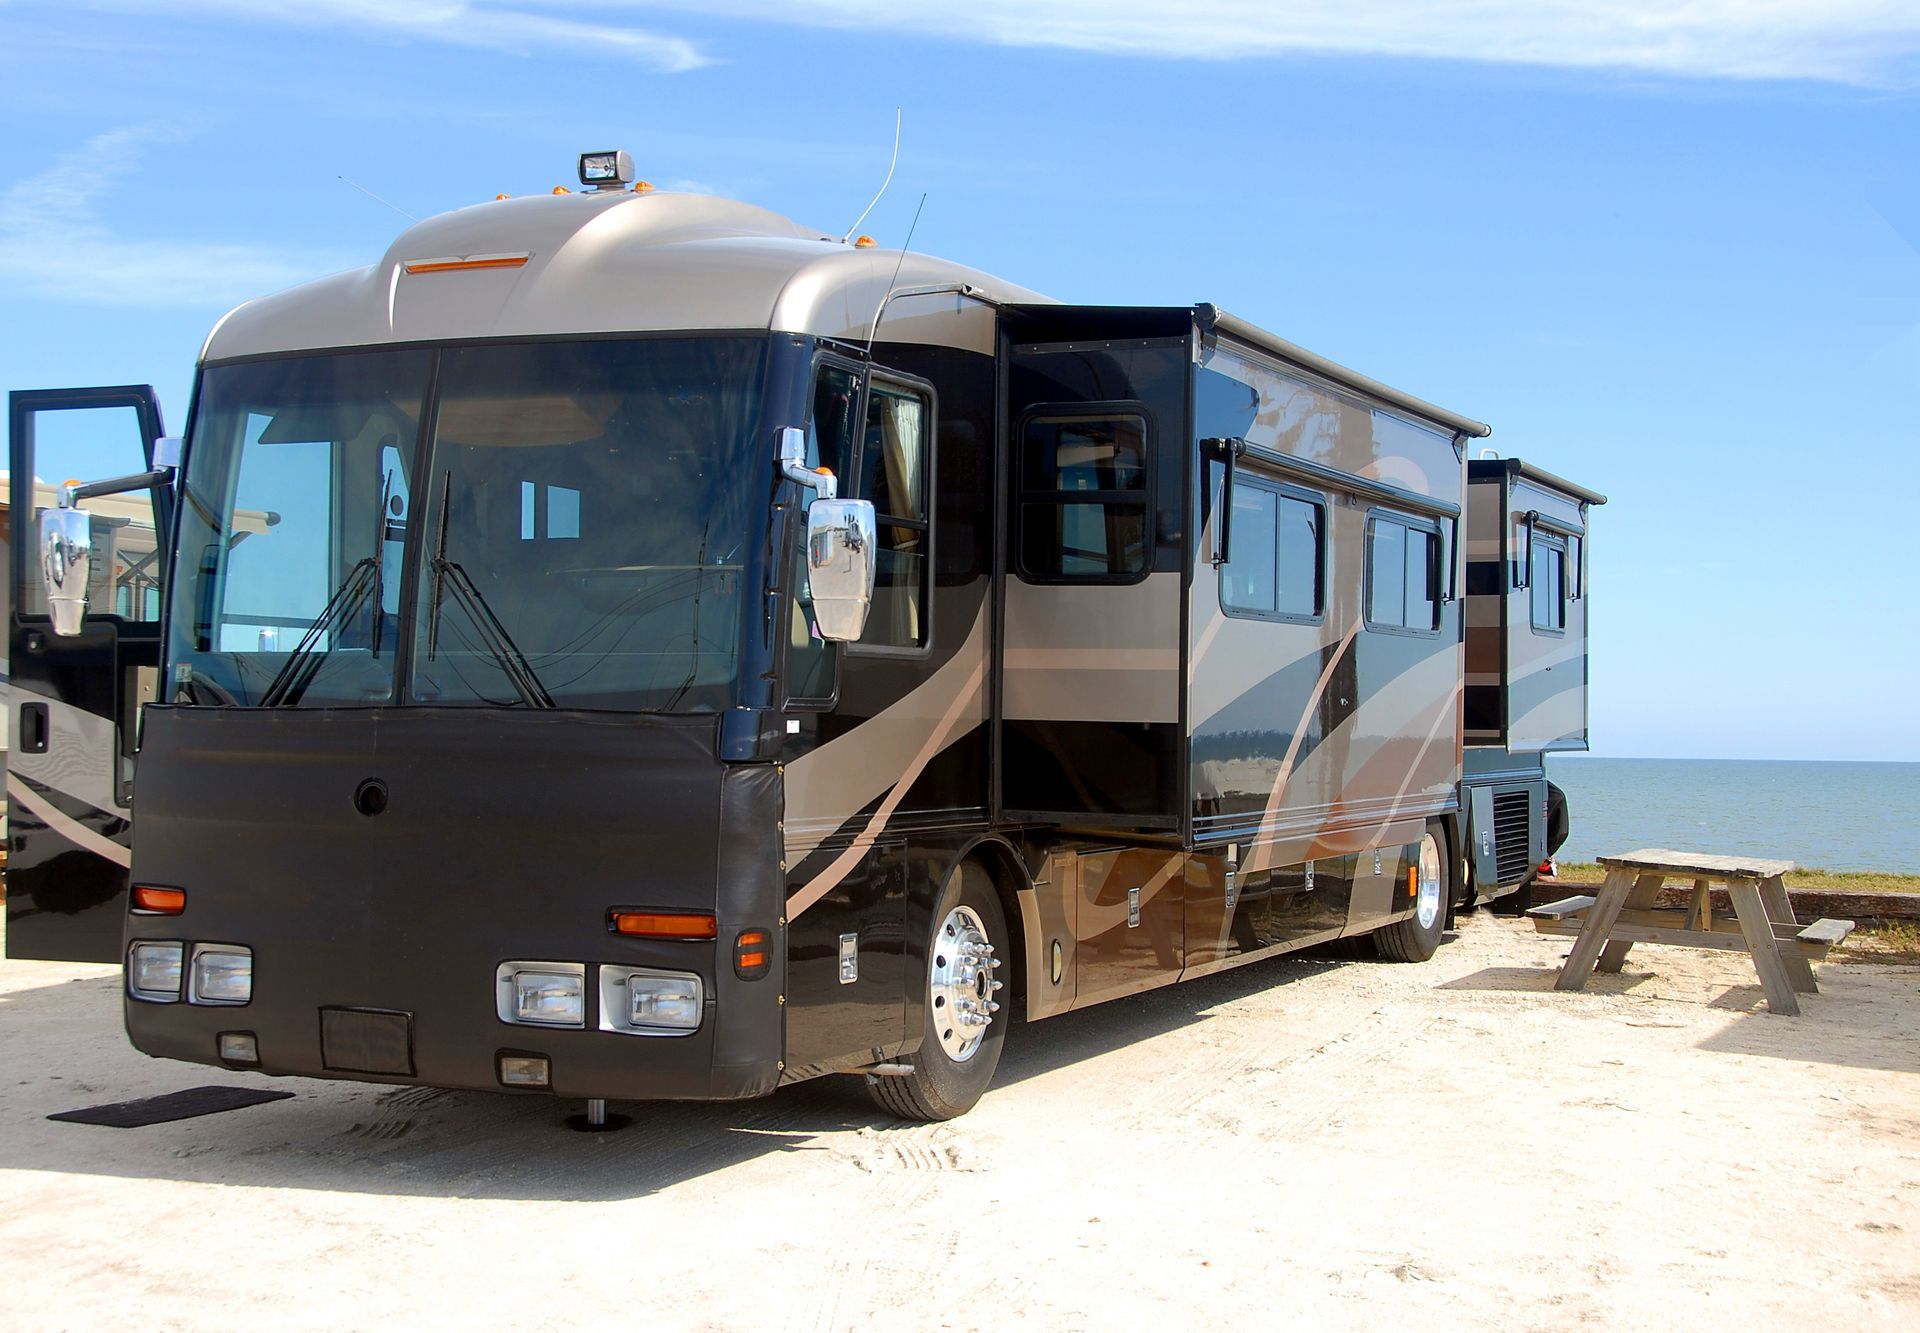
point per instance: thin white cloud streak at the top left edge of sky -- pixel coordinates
(521, 30)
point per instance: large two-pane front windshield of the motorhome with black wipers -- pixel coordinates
(571, 539)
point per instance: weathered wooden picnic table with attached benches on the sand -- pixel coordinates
(1623, 913)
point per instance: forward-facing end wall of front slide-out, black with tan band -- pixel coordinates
(1090, 675)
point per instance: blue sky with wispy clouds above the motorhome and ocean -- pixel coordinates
(1671, 256)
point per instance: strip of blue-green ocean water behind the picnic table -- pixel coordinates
(1817, 813)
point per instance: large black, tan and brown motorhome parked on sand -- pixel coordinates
(633, 646)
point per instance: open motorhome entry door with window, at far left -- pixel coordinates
(76, 702)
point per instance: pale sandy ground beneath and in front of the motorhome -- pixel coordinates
(1335, 1142)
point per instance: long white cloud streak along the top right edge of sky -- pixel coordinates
(1873, 43)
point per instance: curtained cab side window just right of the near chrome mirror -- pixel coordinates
(894, 475)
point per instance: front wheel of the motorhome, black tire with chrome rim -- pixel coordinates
(951, 1069)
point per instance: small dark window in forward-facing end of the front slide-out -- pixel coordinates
(1084, 498)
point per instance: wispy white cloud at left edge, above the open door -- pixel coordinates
(55, 243)
